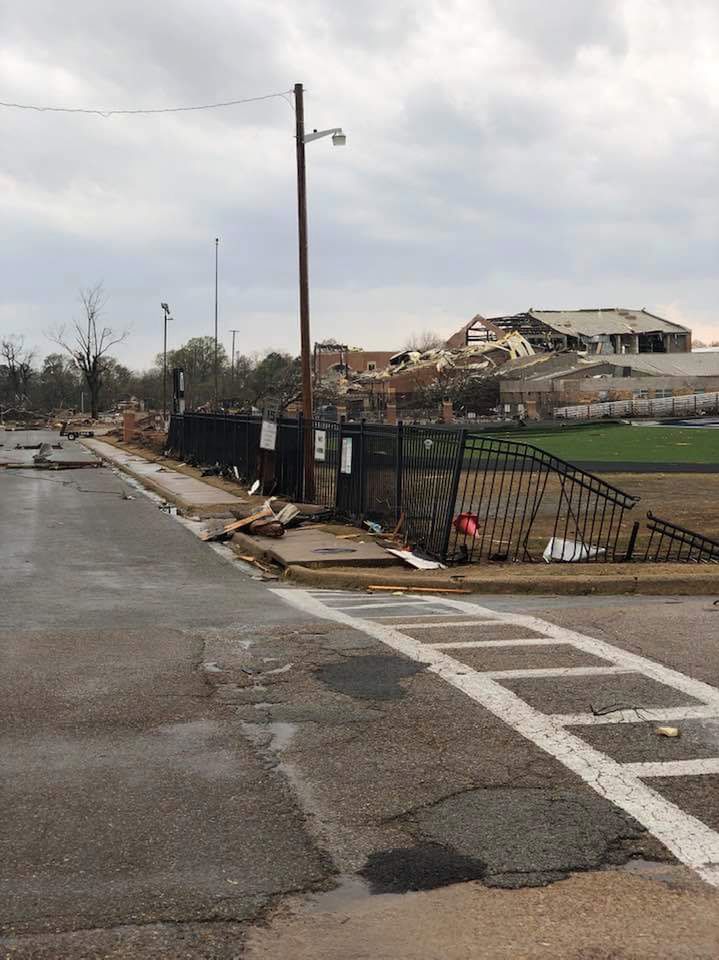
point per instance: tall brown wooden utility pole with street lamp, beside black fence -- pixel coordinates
(339, 140)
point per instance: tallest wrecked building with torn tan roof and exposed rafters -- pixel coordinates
(606, 332)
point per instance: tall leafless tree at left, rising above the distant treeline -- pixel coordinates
(88, 342)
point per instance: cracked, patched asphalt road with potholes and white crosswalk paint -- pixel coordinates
(196, 764)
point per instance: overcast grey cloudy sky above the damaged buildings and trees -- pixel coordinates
(501, 154)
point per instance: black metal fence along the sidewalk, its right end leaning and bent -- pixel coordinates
(459, 497)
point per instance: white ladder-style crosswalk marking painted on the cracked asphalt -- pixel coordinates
(624, 784)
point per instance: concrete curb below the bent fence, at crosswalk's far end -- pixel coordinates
(663, 583)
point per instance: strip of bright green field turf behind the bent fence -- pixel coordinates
(618, 443)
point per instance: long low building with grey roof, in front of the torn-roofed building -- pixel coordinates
(535, 386)
